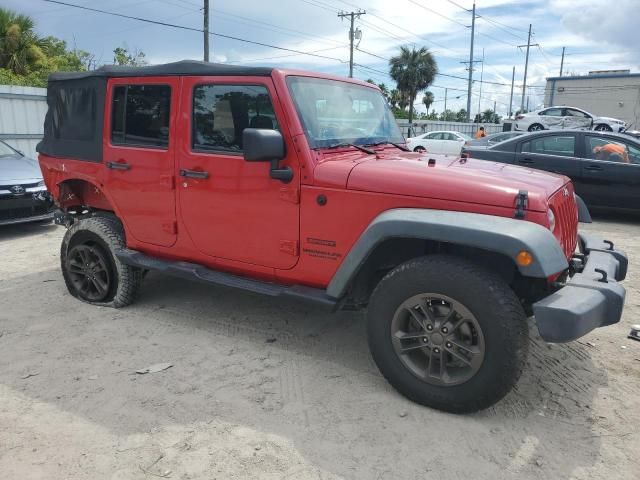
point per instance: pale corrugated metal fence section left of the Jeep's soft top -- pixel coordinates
(22, 111)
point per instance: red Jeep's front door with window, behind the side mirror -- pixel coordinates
(233, 209)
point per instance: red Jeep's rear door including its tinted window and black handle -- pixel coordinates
(140, 120)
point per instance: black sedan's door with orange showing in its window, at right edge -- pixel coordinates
(610, 179)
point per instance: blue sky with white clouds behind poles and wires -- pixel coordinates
(597, 34)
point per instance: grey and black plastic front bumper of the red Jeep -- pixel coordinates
(590, 299)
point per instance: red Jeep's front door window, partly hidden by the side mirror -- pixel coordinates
(222, 112)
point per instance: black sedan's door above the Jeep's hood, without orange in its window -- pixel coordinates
(555, 153)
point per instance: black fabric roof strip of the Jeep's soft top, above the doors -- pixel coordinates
(183, 67)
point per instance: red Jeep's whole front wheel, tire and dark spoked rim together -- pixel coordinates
(447, 333)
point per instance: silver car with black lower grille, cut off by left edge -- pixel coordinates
(23, 195)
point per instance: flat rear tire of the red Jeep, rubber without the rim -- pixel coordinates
(107, 234)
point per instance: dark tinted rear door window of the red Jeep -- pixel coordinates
(140, 115)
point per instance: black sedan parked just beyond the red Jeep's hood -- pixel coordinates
(605, 167)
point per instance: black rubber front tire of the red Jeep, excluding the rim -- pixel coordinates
(496, 309)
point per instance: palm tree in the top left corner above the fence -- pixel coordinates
(20, 47)
